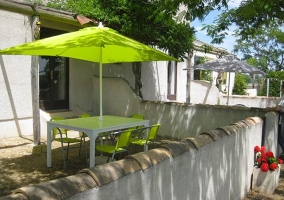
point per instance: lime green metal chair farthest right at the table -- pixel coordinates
(152, 133)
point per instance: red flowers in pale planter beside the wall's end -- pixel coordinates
(266, 173)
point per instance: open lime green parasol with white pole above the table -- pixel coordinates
(97, 44)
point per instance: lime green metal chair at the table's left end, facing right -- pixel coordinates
(60, 135)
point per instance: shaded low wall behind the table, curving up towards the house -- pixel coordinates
(178, 120)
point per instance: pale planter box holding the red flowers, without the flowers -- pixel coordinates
(265, 182)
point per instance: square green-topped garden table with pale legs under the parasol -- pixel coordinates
(92, 126)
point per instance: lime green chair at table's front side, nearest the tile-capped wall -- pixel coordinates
(122, 141)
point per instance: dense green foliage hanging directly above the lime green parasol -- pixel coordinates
(150, 22)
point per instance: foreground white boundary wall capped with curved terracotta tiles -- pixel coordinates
(216, 164)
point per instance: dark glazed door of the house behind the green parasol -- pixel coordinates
(53, 78)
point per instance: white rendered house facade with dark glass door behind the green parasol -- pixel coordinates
(65, 86)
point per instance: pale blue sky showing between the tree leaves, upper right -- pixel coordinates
(202, 35)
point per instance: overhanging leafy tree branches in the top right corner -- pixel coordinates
(248, 17)
